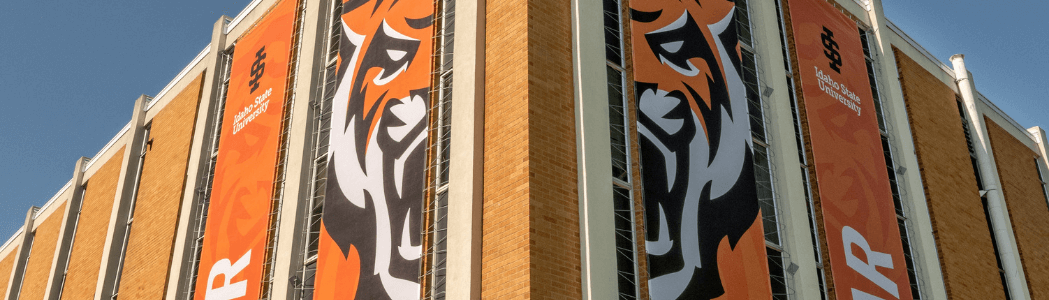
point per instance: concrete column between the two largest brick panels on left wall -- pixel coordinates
(126, 187)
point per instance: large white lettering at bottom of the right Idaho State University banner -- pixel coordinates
(874, 260)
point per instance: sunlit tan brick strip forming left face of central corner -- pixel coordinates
(505, 222)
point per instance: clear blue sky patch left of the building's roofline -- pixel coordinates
(70, 74)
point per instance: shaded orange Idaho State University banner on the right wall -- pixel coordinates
(863, 234)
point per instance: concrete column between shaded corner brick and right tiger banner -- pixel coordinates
(597, 228)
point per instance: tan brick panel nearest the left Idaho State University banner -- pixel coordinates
(160, 197)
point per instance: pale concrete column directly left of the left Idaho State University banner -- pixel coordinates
(200, 156)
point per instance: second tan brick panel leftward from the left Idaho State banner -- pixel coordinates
(91, 238)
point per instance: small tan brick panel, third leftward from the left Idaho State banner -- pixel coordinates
(42, 256)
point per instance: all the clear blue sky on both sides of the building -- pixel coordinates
(71, 73)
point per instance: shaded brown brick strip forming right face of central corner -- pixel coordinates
(552, 148)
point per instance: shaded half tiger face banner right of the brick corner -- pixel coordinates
(703, 223)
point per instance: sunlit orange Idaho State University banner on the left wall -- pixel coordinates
(239, 215)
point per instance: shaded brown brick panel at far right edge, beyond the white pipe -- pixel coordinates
(1026, 202)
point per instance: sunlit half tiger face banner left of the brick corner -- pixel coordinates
(372, 234)
